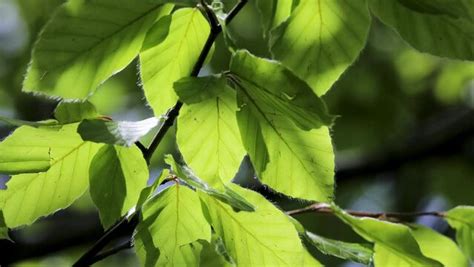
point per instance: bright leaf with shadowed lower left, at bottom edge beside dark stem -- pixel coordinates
(169, 225)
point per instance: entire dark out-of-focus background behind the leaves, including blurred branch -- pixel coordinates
(403, 141)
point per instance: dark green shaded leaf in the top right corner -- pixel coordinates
(440, 35)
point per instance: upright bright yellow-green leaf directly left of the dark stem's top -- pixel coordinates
(173, 58)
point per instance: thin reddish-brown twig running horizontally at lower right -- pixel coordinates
(326, 209)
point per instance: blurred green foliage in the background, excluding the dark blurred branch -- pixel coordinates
(381, 99)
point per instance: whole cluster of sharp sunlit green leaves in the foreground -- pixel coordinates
(268, 109)
